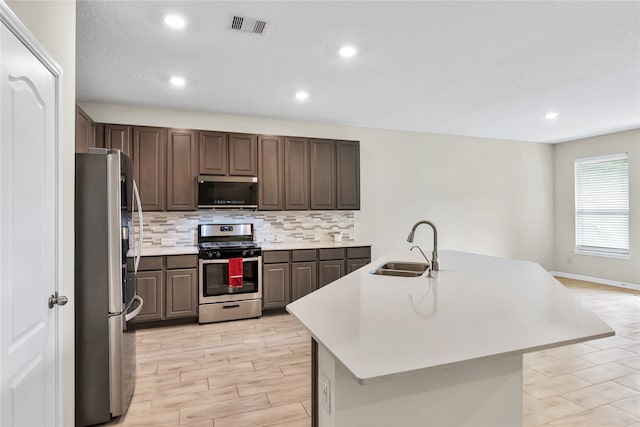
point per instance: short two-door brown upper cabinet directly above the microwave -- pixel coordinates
(227, 154)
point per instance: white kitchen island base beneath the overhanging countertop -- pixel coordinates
(479, 393)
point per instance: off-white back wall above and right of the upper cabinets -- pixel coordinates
(485, 195)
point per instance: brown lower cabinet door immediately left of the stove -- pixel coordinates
(182, 293)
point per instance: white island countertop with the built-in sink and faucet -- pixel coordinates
(476, 307)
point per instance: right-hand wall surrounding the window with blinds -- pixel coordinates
(565, 154)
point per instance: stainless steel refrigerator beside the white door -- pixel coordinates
(106, 302)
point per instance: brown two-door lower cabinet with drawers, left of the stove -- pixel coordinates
(169, 287)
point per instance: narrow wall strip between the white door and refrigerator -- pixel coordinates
(53, 23)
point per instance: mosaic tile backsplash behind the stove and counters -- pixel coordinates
(180, 228)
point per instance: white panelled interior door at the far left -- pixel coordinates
(28, 224)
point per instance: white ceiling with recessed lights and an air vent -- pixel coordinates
(489, 69)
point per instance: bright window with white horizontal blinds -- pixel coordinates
(602, 205)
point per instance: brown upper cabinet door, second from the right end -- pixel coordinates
(322, 166)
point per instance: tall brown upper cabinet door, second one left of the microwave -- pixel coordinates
(149, 145)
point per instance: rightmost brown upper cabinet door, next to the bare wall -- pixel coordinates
(348, 175)
